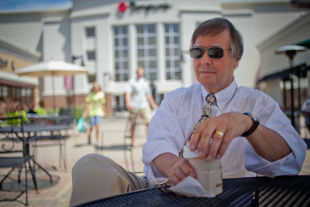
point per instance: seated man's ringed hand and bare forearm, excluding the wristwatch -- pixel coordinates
(224, 128)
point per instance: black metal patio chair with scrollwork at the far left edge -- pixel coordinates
(15, 155)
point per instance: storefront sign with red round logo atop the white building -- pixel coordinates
(122, 6)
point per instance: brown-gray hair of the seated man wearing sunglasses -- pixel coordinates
(216, 26)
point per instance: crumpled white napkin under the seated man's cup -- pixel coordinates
(190, 187)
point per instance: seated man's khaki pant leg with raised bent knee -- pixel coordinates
(95, 176)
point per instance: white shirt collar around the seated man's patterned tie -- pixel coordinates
(222, 97)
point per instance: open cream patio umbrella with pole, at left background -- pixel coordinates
(51, 68)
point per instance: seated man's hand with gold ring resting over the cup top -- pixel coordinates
(221, 129)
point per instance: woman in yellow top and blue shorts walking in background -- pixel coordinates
(95, 109)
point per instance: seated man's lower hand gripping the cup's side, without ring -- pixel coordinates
(174, 168)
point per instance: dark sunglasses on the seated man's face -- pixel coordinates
(213, 52)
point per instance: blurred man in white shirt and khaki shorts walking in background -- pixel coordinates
(138, 96)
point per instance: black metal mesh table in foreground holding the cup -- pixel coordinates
(258, 191)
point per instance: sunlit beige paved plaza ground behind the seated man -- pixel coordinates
(113, 132)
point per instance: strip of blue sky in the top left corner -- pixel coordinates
(11, 5)
